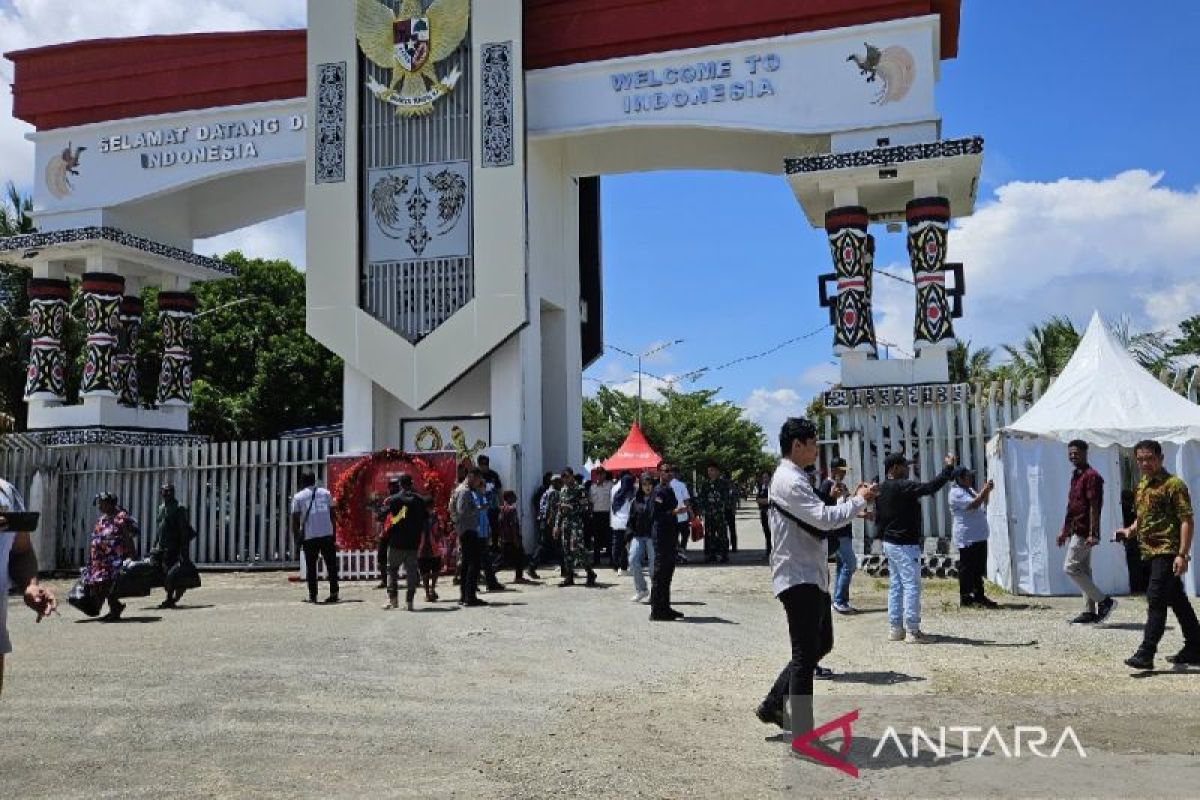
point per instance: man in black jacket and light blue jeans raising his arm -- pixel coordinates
(898, 522)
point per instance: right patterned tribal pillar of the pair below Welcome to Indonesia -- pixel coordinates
(929, 221)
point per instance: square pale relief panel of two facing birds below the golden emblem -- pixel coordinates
(419, 213)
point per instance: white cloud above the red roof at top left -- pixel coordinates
(35, 23)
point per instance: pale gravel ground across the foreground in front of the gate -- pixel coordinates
(247, 693)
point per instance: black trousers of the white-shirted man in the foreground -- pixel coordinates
(811, 630)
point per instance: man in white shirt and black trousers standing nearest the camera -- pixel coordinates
(800, 570)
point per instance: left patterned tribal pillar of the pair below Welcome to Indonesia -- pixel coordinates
(854, 255)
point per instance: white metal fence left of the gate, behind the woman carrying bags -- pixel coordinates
(238, 494)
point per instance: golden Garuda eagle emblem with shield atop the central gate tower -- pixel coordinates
(411, 44)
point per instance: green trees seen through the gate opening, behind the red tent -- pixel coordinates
(687, 429)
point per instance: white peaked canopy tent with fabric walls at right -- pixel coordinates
(1109, 401)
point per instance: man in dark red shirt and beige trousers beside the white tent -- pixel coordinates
(1082, 532)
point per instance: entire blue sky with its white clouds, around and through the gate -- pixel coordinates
(1089, 196)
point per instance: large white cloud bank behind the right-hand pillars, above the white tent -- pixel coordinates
(1120, 245)
